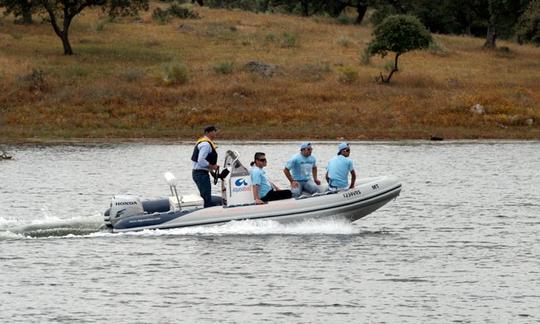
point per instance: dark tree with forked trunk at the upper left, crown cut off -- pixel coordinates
(62, 12)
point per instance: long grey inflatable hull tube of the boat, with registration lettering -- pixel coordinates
(352, 204)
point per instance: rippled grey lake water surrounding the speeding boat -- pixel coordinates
(461, 244)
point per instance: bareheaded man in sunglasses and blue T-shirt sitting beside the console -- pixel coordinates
(263, 189)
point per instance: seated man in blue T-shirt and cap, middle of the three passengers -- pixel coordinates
(299, 170)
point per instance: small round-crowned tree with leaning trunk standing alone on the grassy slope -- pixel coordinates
(398, 34)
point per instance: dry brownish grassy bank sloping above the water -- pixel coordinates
(116, 86)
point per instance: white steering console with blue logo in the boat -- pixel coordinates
(237, 188)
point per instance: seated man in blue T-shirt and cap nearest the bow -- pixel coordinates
(338, 169)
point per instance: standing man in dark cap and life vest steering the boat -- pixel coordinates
(204, 159)
